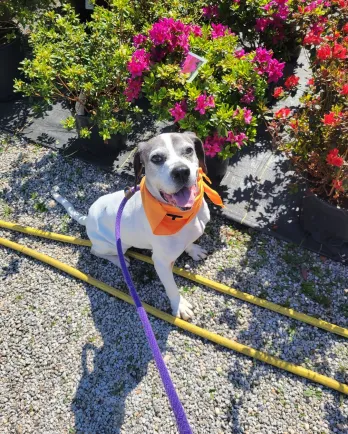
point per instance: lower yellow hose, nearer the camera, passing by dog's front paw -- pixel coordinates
(214, 337)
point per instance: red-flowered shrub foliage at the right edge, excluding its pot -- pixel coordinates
(316, 133)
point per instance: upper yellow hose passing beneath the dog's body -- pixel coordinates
(194, 277)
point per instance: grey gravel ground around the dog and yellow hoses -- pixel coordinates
(74, 360)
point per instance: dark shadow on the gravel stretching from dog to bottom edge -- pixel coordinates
(111, 369)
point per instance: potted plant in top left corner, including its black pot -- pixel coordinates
(13, 13)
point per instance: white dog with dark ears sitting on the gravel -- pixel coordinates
(172, 163)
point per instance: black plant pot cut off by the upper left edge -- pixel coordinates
(10, 56)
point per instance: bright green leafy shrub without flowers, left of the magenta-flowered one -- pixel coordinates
(84, 65)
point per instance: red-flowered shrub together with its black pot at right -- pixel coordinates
(315, 135)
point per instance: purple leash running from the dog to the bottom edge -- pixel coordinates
(178, 409)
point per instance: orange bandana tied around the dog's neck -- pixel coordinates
(166, 219)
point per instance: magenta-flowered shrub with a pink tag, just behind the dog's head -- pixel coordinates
(222, 102)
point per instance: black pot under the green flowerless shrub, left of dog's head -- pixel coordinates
(95, 144)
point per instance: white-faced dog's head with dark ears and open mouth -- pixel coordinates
(171, 163)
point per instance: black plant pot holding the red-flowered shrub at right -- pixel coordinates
(327, 224)
